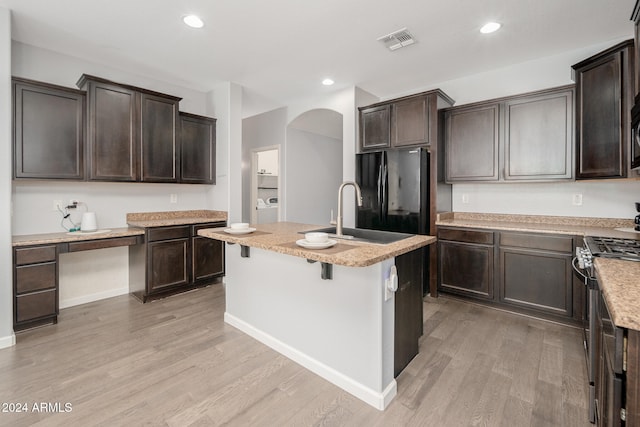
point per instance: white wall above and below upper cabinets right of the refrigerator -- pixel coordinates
(611, 199)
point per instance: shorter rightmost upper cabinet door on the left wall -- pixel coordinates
(197, 149)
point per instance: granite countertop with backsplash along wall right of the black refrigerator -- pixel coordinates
(577, 226)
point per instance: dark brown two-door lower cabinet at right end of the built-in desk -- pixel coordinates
(174, 259)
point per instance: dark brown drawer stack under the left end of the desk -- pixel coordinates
(35, 286)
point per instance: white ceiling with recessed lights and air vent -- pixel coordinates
(280, 50)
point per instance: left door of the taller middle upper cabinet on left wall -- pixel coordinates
(113, 138)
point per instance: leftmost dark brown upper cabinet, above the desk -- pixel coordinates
(48, 131)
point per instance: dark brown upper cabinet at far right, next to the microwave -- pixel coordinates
(604, 97)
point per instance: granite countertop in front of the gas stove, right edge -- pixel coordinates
(618, 280)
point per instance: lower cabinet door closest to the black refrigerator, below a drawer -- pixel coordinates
(466, 269)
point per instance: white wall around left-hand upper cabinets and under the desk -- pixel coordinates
(107, 270)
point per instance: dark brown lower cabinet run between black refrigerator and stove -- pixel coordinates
(529, 273)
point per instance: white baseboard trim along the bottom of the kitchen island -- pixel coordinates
(378, 400)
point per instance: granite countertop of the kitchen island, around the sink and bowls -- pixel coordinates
(281, 237)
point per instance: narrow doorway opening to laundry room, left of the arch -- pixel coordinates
(265, 185)
